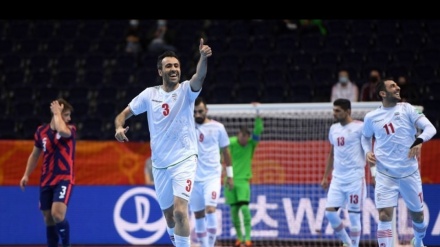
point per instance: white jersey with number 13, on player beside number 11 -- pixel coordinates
(349, 158)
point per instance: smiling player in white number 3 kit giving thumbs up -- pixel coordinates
(170, 109)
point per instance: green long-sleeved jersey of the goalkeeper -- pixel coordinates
(242, 155)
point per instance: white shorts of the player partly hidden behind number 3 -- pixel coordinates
(205, 193)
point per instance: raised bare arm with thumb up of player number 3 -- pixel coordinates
(202, 67)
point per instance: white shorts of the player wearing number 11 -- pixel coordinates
(388, 189)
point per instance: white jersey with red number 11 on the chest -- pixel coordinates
(394, 131)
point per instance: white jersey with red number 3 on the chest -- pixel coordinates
(170, 122)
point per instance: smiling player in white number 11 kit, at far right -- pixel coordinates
(396, 149)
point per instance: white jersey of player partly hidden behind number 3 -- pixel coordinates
(211, 137)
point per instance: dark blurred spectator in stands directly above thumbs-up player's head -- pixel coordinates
(160, 39)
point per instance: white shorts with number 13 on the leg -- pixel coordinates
(347, 195)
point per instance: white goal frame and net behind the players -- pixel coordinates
(287, 201)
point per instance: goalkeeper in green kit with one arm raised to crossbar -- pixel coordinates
(242, 148)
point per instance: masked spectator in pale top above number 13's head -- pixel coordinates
(344, 88)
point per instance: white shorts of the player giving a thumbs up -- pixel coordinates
(177, 180)
